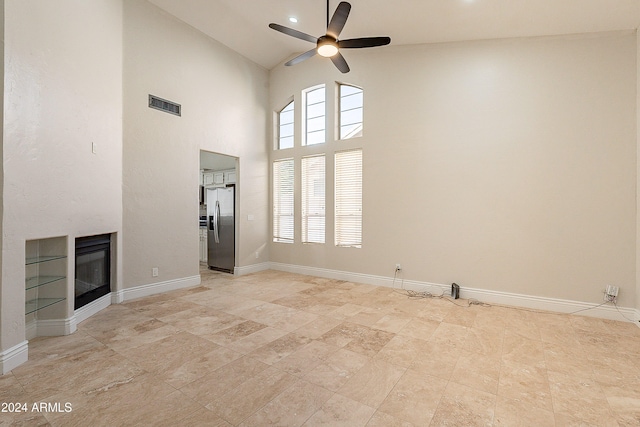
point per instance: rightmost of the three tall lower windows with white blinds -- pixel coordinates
(348, 198)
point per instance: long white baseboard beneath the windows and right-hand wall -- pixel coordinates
(483, 295)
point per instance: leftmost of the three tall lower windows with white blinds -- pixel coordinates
(283, 220)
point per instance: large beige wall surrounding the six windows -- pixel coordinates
(505, 165)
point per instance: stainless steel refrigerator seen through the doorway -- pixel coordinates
(221, 229)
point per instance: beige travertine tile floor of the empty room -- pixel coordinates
(275, 348)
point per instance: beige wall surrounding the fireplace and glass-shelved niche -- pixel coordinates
(63, 80)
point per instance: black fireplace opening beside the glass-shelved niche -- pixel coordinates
(93, 268)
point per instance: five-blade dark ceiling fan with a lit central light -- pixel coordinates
(328, 45)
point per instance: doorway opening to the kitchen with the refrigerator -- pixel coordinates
(218, 199)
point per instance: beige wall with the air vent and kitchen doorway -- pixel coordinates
(224, 100)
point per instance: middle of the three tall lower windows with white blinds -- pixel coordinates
(313, 212)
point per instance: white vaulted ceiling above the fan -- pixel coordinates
(242, 25)
